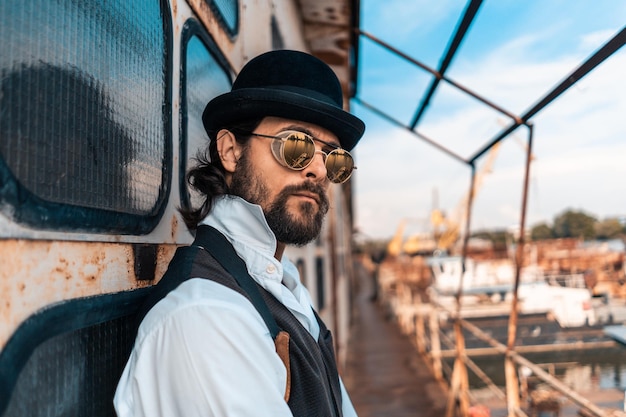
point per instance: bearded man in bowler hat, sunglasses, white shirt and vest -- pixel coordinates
(230, 329)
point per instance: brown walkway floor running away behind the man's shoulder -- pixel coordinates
(383, 373)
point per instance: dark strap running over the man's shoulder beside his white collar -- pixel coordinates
(212, 241)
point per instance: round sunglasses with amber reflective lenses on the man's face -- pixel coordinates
(296, 150)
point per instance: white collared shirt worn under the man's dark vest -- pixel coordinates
(204, 350)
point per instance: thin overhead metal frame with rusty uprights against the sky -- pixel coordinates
(587, 66)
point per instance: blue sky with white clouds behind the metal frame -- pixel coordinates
(513, 55)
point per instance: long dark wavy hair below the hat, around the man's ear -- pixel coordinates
(208, 177)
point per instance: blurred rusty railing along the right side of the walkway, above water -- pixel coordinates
(420, 321)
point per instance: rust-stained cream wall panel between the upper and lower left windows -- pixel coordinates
(35, 274)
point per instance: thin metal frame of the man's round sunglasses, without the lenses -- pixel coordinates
(279, 155)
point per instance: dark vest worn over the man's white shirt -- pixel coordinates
(314, 388)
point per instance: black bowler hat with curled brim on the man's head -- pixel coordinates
(288, 84)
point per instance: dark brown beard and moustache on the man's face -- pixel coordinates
(289, 228)
